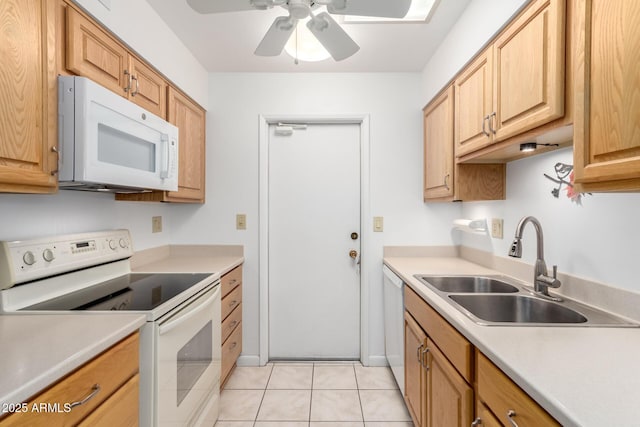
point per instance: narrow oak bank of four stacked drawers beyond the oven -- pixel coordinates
(231, 322)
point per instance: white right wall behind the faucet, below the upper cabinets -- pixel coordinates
(597, 240)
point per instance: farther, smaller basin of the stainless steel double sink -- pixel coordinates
(467, 284)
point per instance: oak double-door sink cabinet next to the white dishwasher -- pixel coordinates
(437, 393)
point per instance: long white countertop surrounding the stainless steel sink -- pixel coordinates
(583, 376)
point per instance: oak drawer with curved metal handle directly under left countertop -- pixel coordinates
(110, 370)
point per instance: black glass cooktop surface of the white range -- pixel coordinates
(131, 292)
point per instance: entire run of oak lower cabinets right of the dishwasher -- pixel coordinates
(445, 376)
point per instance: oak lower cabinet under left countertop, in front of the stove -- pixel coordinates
(102, 392)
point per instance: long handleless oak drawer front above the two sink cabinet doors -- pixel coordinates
(454, 345)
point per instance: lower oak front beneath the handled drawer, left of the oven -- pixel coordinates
(121, 409)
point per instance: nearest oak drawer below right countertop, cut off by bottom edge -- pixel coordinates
(501, 395)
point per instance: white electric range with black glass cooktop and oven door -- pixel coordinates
(90, 272)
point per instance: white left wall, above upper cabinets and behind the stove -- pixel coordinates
(28, 216)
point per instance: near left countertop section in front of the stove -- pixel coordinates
(38, 350)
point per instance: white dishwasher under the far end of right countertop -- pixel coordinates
(394, 324)
